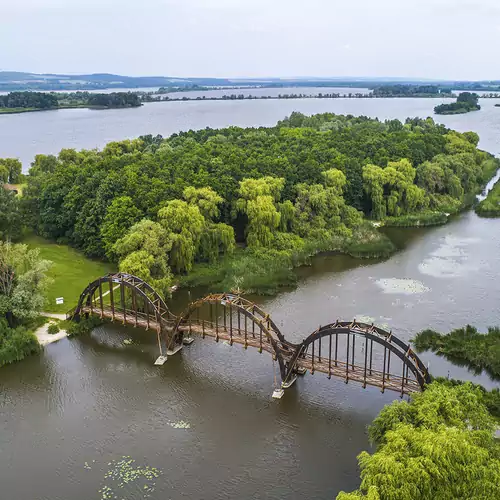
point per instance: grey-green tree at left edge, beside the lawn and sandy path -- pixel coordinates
(23, 280)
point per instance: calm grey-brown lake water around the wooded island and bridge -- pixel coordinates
(95, 398)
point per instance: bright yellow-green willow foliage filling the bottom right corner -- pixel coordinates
(440, 445)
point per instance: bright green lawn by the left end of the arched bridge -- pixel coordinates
(71, 272)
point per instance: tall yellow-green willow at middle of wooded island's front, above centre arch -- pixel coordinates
(258, 199)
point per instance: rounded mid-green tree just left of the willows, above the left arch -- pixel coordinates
(120, 216)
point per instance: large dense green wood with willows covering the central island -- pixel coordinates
(158, 206)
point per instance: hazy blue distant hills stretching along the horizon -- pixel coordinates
(14, 80)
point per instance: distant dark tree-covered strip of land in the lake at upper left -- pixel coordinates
(21, 102)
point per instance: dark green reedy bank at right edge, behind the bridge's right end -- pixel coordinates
(465, 345)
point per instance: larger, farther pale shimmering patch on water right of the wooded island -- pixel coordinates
(451, 259)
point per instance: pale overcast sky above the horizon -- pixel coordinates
(442, 39)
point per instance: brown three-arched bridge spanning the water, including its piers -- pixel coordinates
(350, 350)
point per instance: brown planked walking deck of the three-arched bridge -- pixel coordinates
(258, 340)
